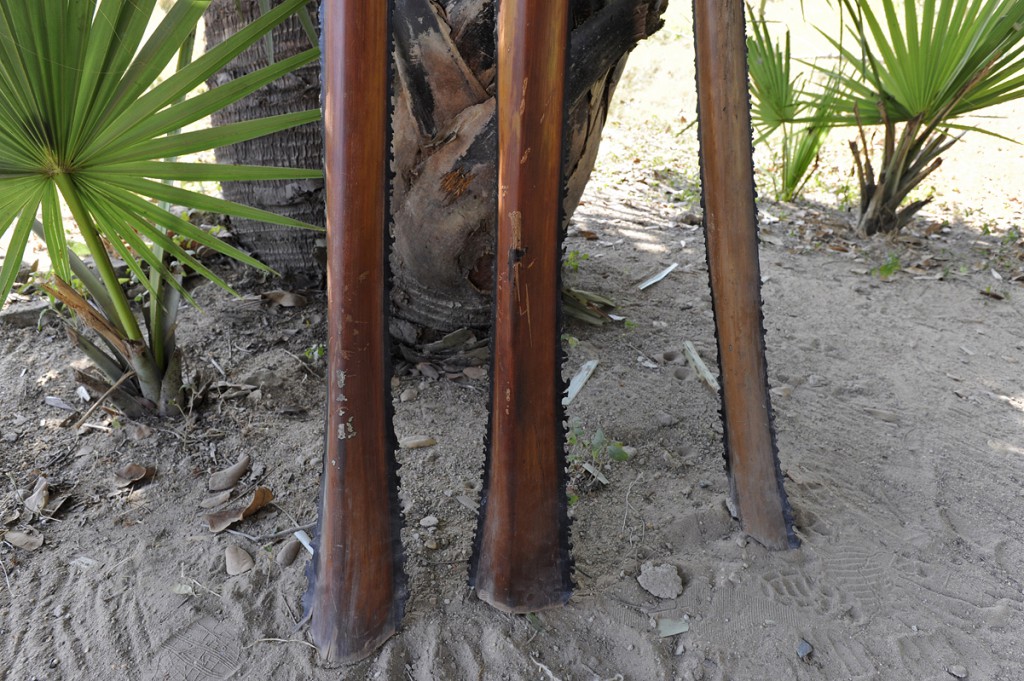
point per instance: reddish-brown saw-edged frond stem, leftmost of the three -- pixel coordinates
(357, 586)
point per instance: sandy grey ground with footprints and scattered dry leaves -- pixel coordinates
(900, 409)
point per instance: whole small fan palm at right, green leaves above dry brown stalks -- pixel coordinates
(914, 73)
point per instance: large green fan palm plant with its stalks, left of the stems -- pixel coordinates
(87, 119)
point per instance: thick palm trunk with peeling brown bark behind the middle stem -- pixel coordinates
(446, 154)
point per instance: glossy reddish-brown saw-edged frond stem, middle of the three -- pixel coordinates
(522, 563)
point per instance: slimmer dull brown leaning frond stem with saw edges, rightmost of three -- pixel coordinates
(731, 225)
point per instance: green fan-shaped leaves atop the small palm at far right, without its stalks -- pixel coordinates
(933, 61)
